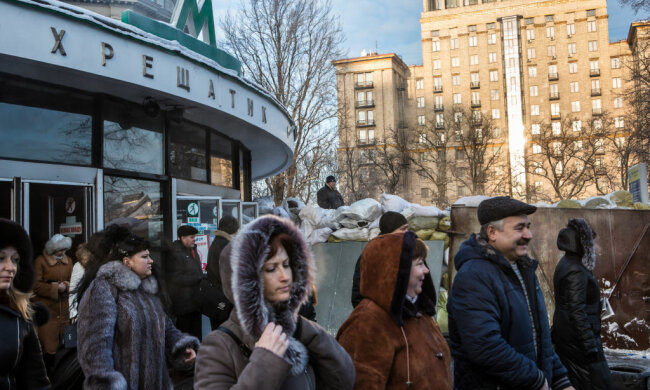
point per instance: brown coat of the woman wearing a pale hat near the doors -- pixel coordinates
(49, 273)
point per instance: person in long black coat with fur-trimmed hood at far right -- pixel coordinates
(576, 321)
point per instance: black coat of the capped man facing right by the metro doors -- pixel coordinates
(183, 275)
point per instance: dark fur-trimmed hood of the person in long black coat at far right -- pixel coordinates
(578, 239)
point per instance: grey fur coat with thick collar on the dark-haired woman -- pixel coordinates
(124, 336)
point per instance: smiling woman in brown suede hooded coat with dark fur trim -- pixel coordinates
(391, 335)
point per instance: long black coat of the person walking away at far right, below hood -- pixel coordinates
(576, 324)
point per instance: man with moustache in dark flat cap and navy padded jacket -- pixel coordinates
(498, 326)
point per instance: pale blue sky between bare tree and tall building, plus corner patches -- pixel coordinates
(390, 26)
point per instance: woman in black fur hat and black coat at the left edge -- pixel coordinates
(21, 362)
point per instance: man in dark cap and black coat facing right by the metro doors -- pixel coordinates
(184, 273)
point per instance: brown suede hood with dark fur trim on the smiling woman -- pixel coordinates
(386, 261)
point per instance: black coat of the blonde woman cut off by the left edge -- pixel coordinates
(21, 361)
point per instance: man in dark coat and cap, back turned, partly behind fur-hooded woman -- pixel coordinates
(218, 306)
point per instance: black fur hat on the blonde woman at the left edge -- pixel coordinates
(12, 234)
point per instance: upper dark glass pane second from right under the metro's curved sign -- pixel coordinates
(187, 151)
